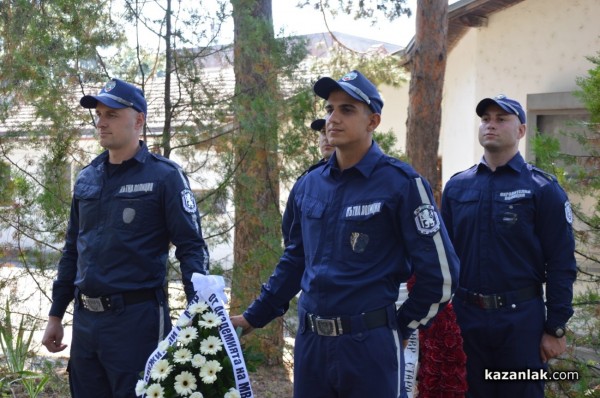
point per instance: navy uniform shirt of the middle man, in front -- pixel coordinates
(355, 236)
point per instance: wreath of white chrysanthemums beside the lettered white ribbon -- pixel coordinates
(196, 366)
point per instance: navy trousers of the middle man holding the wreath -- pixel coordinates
(366, 363)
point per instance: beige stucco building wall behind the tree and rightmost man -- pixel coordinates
(536, 46)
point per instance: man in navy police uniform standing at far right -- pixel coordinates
(510, 224)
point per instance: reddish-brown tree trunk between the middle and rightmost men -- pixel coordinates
(425, 92)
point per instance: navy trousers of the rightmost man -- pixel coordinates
(506, 339)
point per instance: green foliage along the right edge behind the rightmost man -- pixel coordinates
(579, 176)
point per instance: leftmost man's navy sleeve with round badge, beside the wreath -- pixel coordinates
(185, 231)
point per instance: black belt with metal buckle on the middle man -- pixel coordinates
(336, 326)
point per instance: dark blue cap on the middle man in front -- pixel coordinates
(355, 85)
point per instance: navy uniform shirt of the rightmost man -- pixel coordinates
(512, 229)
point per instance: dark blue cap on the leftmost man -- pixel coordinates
(117, 94)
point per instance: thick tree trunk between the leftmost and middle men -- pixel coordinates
(257, 236)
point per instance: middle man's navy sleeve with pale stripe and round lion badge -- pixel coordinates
(431, 255)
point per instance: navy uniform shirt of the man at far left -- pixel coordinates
(120, 228)
